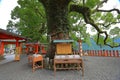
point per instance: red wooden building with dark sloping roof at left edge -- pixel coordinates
(7, 37)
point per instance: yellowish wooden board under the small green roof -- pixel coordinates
(63, 48)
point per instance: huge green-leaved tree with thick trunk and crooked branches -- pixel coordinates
(63, 19)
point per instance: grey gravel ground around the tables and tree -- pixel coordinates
(96, 68)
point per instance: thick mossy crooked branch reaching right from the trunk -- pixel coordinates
(86, 12)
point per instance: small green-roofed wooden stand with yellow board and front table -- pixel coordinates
(64, 56)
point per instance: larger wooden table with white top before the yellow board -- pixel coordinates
(68, 62)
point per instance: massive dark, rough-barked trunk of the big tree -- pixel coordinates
(57, 21)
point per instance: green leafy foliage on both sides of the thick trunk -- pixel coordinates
(29, 20)
